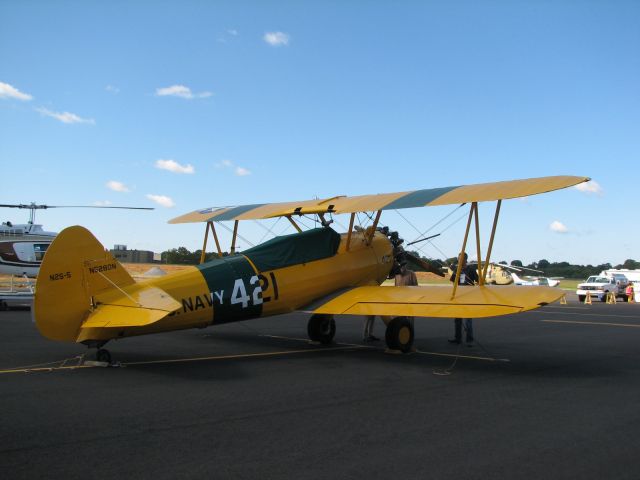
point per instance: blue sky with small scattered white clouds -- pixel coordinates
(252, 102)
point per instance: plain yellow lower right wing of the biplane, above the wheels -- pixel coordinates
(434, 301)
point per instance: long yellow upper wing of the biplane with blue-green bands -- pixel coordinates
(481, 192)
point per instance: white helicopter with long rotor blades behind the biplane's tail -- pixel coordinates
(22, 246)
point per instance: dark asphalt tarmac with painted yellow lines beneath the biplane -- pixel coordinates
(551, 394)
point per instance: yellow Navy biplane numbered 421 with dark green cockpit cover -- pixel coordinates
(84, 295)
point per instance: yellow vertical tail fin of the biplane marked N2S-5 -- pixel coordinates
(75, 268)
